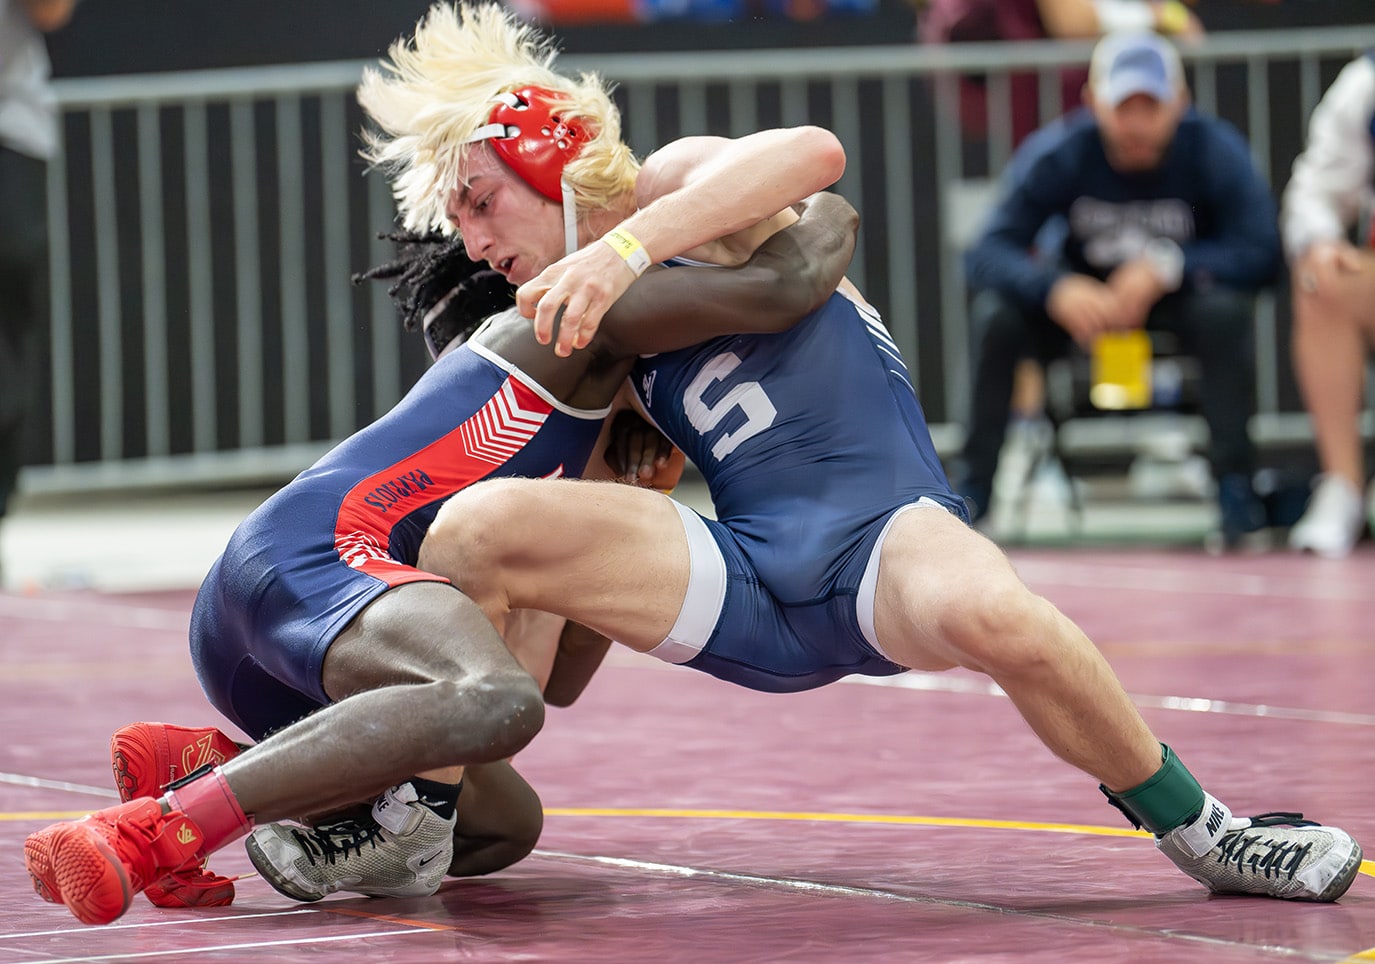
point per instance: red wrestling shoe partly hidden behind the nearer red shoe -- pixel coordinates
(146, 758)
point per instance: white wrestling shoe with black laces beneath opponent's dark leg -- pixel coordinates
(404, 851)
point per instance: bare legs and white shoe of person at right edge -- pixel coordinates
(1334, 328)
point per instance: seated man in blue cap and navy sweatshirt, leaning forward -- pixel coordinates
(1169, 226)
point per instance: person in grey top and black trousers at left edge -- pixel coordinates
(28, 141)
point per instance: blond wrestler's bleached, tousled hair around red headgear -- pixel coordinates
(438, 89)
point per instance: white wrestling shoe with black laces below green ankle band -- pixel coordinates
(1277, 855)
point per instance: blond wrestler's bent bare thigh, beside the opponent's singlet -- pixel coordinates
(608, 556)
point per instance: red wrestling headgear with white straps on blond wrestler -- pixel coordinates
(537, 144)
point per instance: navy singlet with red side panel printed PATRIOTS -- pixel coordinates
(349, 529)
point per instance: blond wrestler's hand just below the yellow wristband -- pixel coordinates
(585, 285)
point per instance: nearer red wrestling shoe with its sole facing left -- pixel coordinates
(100, 863)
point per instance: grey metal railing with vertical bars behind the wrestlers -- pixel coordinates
(206, 225)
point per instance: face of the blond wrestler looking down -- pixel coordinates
(504, 221)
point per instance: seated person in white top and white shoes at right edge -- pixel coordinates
(1334, 300)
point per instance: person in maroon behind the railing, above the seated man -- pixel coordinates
(962, 21)
